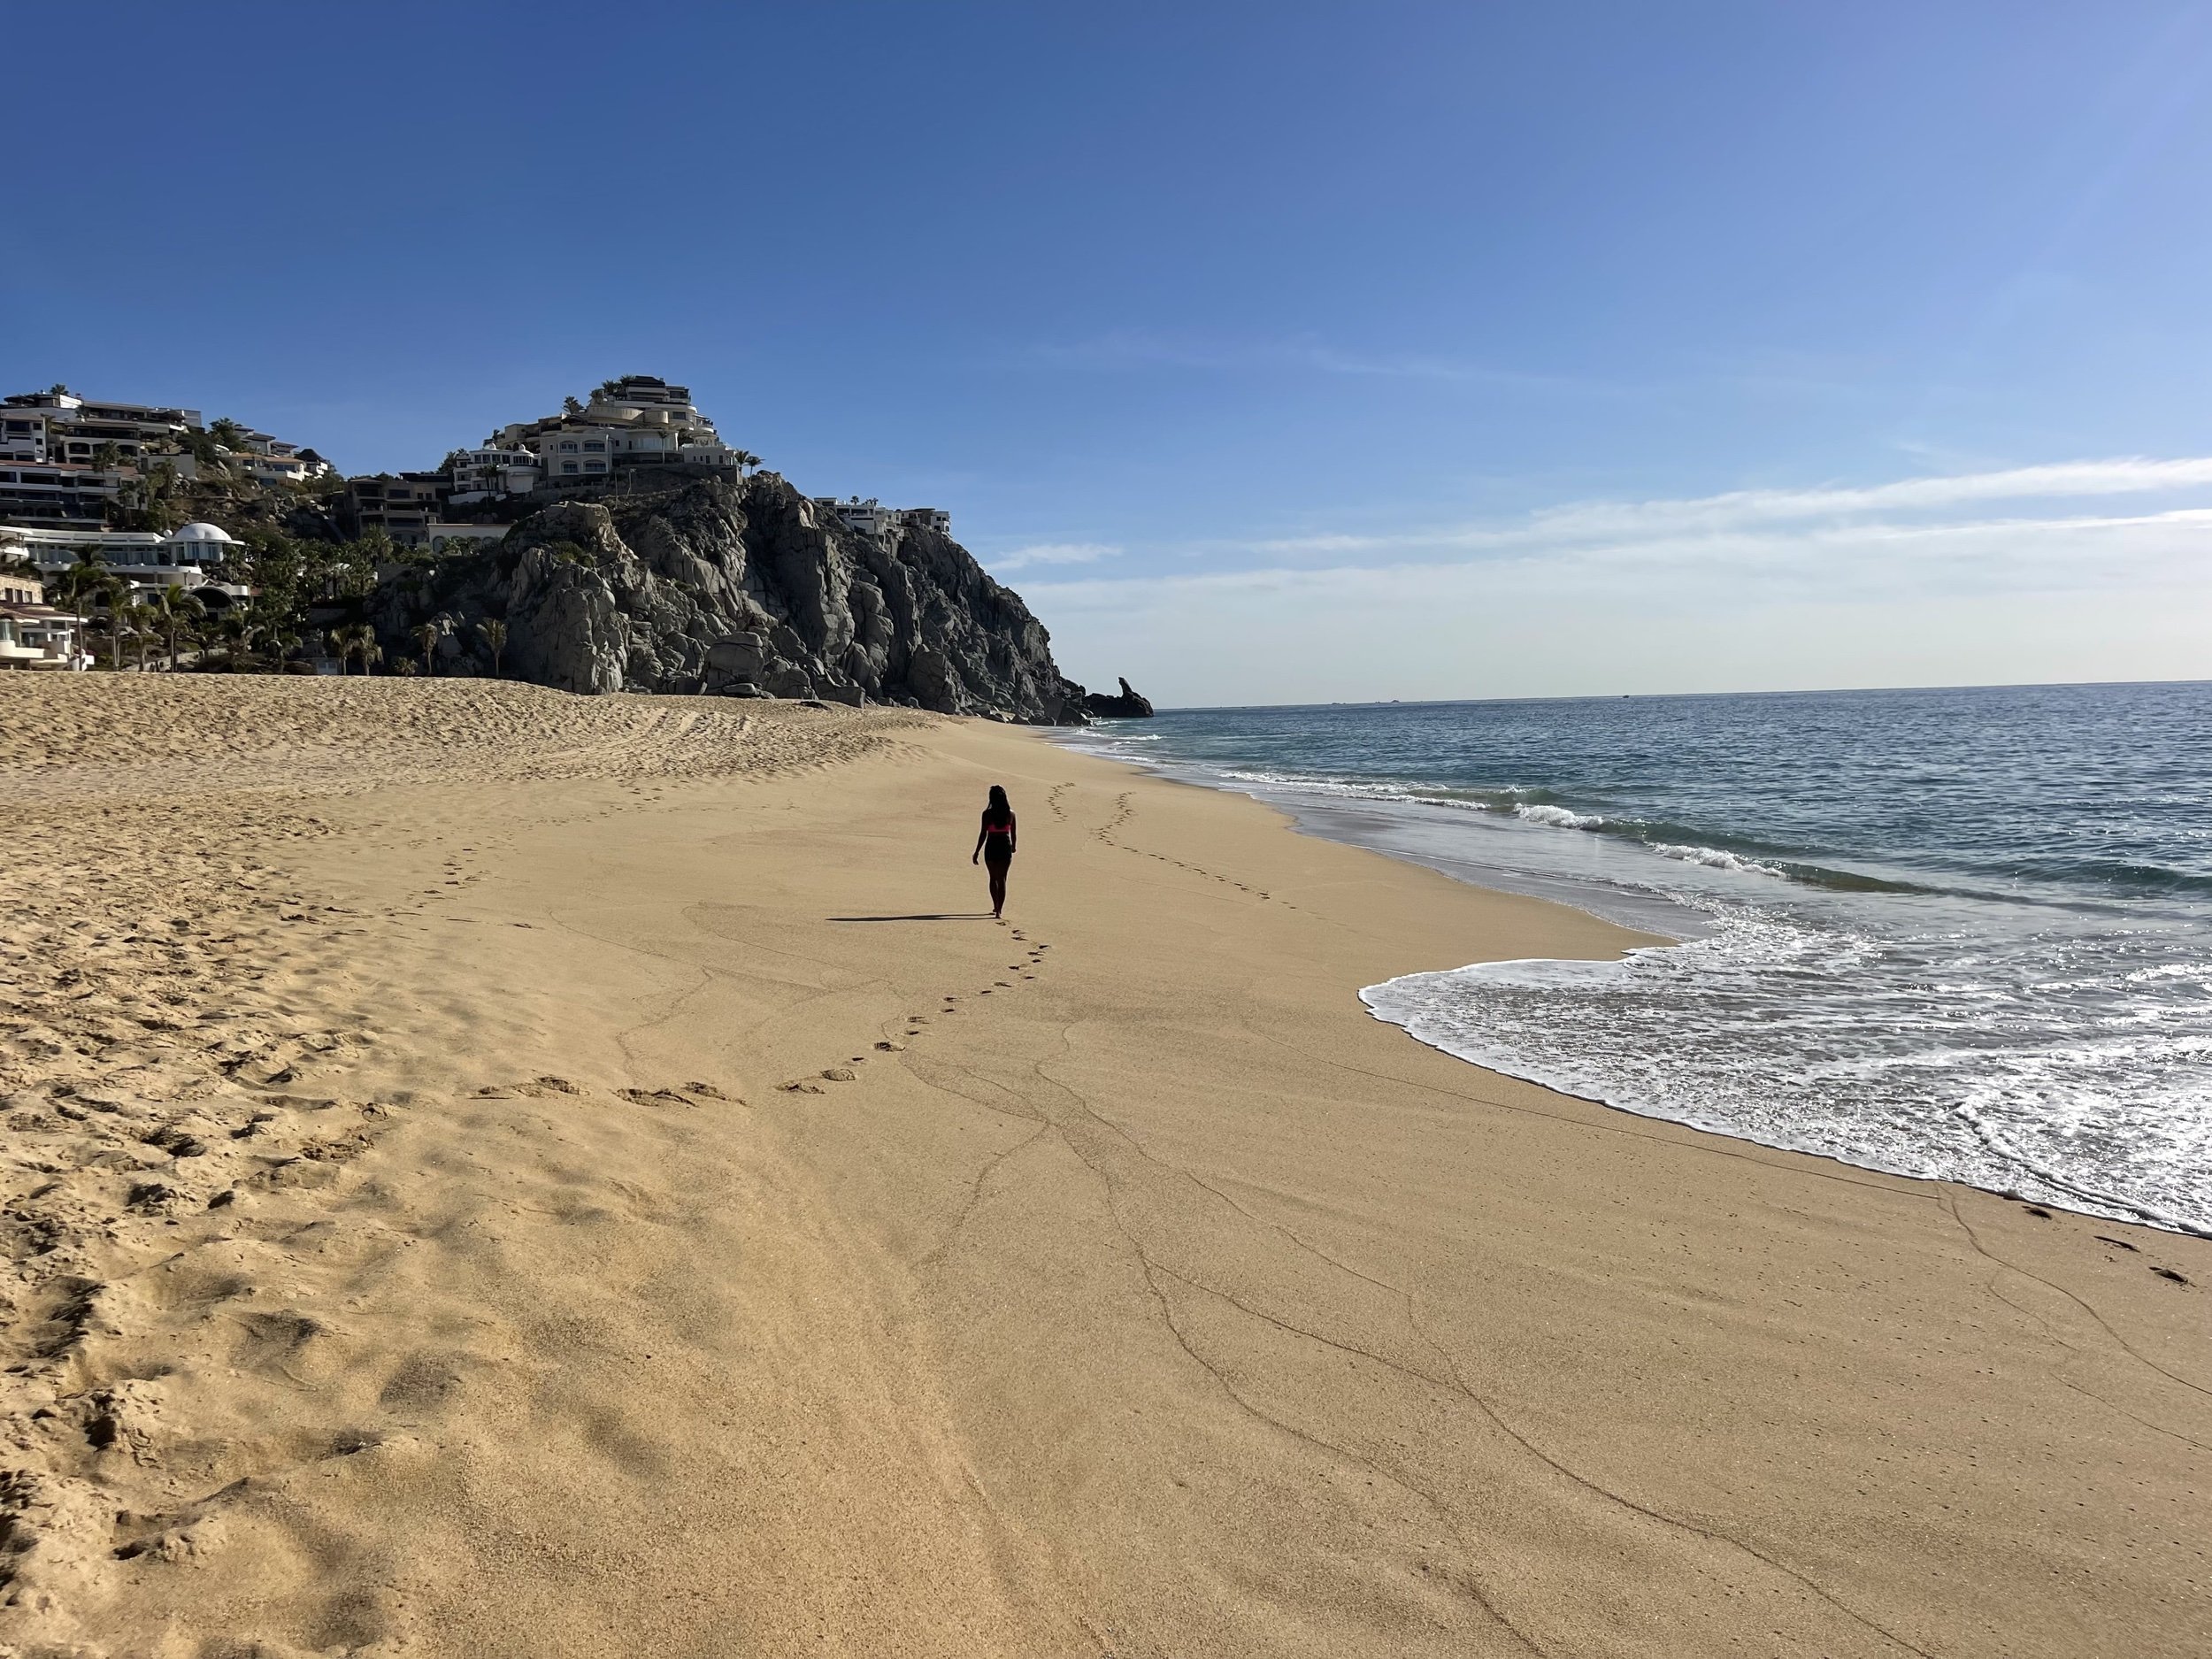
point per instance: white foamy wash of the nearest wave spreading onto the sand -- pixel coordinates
(1822, 1041)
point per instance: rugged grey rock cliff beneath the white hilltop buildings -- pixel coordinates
(738, 589)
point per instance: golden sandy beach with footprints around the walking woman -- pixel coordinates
(497, 1173)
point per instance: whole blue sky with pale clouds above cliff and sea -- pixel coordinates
(1271, 351)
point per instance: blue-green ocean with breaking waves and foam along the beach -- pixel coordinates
(1959, 935)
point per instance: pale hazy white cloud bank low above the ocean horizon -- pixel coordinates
(1884, 585)
